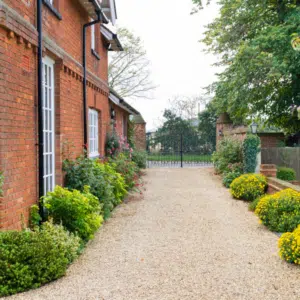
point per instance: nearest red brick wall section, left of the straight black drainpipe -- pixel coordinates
(18, 152)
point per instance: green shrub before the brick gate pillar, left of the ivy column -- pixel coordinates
(229, 152)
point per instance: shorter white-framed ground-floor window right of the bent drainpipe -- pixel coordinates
(93, 133)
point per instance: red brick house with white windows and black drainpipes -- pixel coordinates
(43, 91)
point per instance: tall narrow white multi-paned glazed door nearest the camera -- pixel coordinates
(48, 124)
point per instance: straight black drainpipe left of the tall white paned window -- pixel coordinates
(40, 105)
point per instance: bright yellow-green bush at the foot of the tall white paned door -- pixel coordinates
(77, 212)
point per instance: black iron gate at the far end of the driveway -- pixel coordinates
(178, 151)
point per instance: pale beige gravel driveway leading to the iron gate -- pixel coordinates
(187, 239)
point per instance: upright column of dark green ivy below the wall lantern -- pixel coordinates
(250, 151)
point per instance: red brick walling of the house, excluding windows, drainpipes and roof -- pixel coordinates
(18, 101)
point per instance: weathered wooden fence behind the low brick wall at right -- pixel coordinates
(285, 156)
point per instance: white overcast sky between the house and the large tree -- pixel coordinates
(171, 38)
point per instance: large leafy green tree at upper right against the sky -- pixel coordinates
(260, 74)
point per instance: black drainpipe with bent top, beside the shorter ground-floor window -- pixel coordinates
(85, 26)
